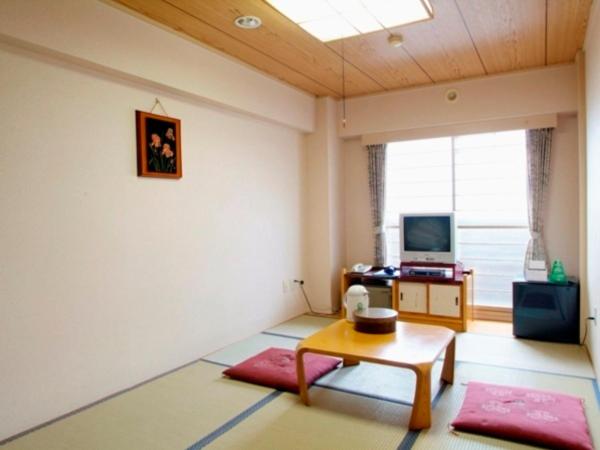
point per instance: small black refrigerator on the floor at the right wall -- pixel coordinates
(546, 311)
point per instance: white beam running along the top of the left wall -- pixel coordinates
(98, 35)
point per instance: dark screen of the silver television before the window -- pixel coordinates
(427, 234)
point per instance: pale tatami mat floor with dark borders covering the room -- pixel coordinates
(361, 407)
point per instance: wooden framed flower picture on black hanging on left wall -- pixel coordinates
(158, 145)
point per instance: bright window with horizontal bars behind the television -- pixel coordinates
(482, 178)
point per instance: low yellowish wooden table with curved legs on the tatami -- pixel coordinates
(412, 346)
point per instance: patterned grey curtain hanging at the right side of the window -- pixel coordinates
(539, 143)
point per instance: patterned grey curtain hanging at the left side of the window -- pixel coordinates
(377, 190)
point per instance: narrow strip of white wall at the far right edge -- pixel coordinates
(592, 99)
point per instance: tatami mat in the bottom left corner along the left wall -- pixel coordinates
(171, 412)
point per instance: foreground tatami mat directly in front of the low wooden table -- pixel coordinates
(334, 421)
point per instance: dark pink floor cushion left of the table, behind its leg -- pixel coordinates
(276, 368)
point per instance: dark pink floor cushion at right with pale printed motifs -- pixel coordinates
(535, 417)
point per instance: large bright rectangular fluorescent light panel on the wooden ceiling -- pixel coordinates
(329, 20)
